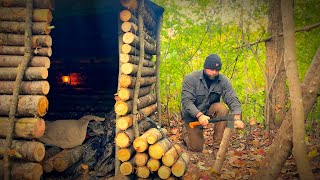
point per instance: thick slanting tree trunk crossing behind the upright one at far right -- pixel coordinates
(282, 145)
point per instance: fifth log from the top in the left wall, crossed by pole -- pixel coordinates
(19, 50)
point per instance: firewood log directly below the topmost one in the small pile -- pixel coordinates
(158, 149)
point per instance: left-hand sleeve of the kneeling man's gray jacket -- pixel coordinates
(188, 96)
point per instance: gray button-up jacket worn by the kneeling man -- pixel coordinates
(196, 96)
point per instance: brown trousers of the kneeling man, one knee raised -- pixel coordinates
(194, 137)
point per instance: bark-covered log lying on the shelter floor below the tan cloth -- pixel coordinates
(68, 158)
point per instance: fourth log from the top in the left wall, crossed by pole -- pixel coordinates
(18, 40)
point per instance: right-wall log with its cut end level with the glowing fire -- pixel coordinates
(129, 81)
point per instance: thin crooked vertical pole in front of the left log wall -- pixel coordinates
(21, 70)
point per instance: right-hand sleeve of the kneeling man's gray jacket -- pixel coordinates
(230, 97)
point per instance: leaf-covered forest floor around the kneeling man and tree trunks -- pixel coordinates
(246, 151)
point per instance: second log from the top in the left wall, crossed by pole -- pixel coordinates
(19, 14)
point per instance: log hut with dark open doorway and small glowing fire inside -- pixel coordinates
(66, 59)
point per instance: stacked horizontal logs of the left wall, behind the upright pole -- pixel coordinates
(32, 103)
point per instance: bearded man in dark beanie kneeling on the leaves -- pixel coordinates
(200, 98)
